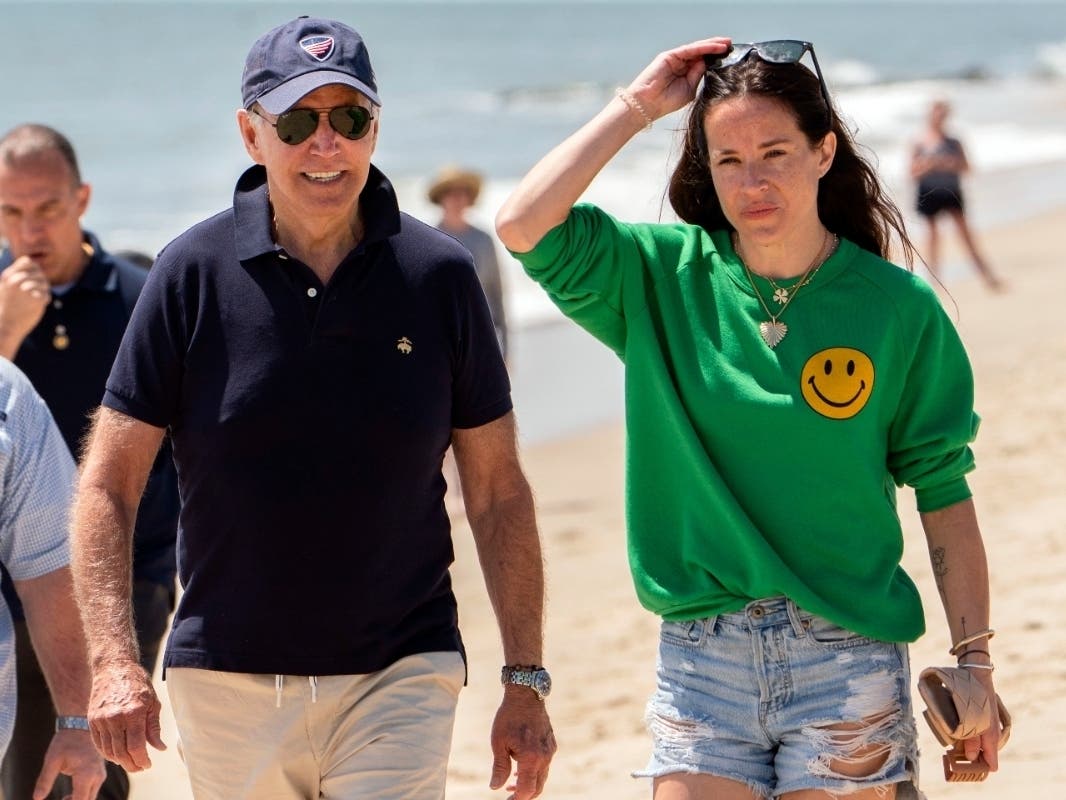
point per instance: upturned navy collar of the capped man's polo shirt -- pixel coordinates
(252, 216)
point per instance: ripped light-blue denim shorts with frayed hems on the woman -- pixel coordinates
(752, 696)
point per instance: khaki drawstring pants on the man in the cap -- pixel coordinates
(383, 737)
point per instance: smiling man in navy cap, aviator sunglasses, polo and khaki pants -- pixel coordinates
(314, 353)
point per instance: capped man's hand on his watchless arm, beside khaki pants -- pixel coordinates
(124, 715)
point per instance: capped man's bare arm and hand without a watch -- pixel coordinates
(123, 710)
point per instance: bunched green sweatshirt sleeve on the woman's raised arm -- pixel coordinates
(591, 267)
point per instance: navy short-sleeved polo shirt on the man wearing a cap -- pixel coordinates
(310, 426)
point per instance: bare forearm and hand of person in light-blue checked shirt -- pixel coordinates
(55, 627)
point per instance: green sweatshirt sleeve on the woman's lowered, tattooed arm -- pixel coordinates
(930, 440)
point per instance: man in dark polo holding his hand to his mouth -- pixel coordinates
(64, 305)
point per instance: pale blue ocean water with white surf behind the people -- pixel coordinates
(148, 92)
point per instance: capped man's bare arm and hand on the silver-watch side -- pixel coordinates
(499, 506)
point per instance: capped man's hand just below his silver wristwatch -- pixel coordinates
(522, 731)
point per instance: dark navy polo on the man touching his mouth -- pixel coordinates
(68, 357)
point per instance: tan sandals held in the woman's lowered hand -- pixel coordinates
(958, 710)
